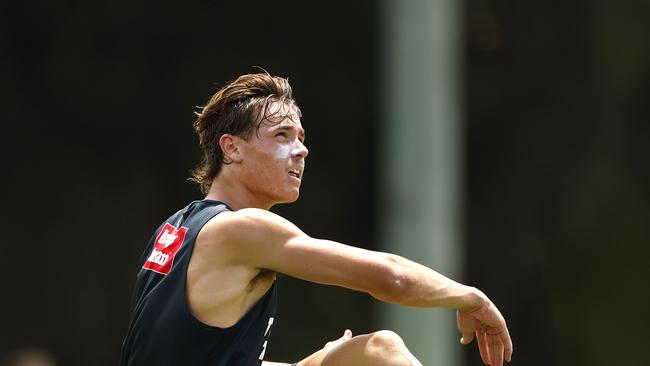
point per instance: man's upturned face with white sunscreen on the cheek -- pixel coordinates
(274, 159)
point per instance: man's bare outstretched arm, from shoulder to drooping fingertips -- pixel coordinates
(261, 239)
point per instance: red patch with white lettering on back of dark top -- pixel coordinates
(167, 244)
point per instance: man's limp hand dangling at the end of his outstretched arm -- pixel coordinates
(488, 326)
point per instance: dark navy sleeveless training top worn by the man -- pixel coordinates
(163, 332)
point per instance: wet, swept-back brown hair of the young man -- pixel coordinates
(237, 109)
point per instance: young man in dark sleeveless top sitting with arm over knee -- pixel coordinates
(205, 293)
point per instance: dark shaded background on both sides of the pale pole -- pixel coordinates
(97, 102)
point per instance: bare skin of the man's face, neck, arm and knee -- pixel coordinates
(237, 254)
